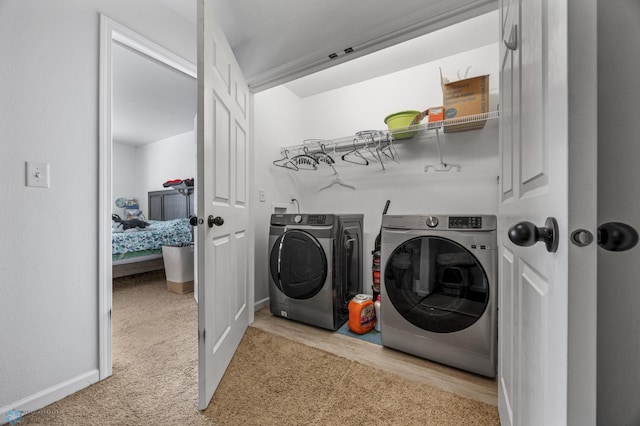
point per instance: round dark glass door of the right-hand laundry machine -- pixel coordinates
(436, 284)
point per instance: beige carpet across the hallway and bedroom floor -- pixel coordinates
(271, 380)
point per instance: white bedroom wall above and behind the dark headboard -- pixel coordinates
(166, 159)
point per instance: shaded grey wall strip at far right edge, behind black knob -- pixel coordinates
(618, 201)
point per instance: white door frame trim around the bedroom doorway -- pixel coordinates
(110, 32)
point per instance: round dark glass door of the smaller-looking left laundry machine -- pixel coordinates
(298, 264)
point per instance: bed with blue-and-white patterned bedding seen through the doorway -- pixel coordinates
(140, 249)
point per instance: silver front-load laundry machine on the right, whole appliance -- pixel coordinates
(439, 294)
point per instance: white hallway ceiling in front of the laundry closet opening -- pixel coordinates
(277, 41)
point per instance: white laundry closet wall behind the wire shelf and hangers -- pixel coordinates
(345, 111)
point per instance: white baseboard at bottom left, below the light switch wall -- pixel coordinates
(48, 396)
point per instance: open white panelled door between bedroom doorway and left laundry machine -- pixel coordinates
(224, 235)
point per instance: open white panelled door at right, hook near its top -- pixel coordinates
(547, 189)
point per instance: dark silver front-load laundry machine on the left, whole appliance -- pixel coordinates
(315, 267)
